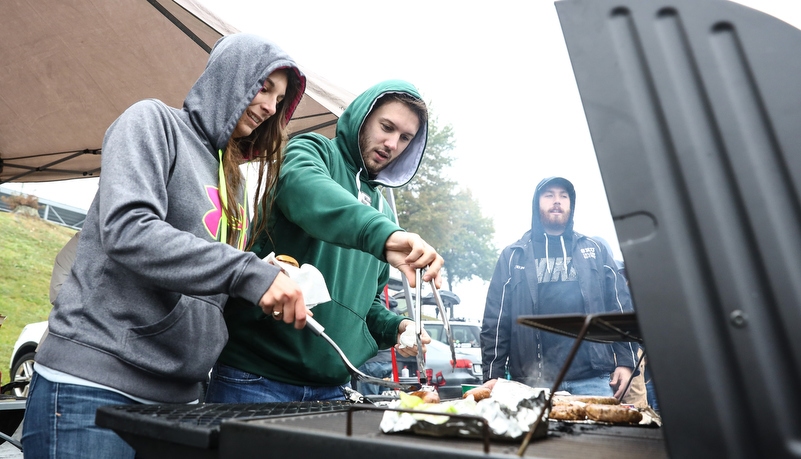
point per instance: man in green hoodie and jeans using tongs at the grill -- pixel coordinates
(328, 212)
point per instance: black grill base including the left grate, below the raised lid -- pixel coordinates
(319, 430)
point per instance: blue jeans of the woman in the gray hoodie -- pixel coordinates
(60, 422)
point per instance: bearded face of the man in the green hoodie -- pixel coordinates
(386, 133)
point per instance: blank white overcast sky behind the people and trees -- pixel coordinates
(499, 75)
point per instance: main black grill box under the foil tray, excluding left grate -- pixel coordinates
(315, 437)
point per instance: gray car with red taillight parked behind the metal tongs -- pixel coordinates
(441, 374)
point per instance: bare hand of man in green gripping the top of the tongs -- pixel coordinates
(408, 251)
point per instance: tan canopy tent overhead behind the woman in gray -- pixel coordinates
(70, 68)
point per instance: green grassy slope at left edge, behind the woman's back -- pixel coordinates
(28, 247)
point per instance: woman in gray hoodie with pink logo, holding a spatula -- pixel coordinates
(139, 319)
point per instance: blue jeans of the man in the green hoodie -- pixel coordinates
(231, 385)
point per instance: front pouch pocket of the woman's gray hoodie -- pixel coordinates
(184, 344)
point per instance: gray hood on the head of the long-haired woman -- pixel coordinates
(237, 68)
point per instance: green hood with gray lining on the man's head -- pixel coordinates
(400, 171)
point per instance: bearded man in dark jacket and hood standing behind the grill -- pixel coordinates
(554, 270)
